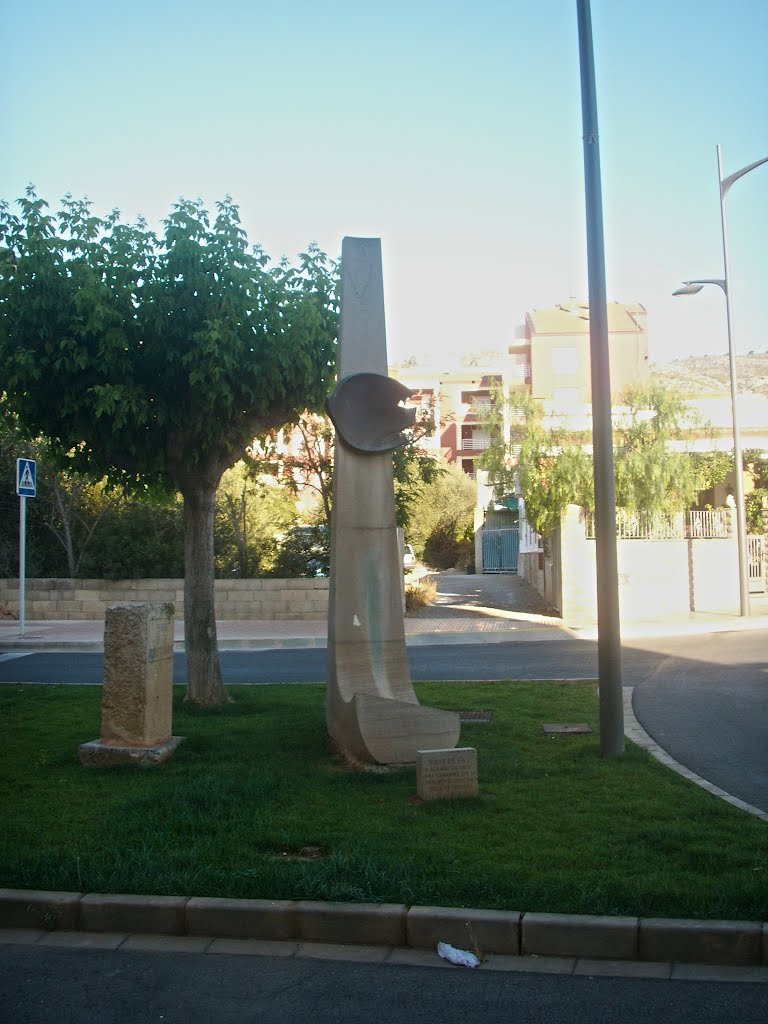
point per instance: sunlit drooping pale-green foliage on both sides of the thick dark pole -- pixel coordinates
(552, 463)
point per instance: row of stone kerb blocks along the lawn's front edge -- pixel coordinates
(505, 932)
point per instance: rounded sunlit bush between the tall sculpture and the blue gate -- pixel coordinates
(443, 519)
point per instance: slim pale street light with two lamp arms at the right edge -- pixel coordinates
(692, 288)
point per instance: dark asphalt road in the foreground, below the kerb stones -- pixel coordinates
(42, 986)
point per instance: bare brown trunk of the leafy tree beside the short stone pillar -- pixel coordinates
(204, 684)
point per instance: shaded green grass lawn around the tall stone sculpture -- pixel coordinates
(556, 828)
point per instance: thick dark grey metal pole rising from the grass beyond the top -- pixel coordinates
(609, 635)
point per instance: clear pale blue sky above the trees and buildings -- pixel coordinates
(453, 131)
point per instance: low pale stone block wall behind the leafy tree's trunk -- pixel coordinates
(243, 600)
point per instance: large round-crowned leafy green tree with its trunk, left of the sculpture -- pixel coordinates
(155, 360)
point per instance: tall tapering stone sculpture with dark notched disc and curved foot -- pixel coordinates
(371, 709)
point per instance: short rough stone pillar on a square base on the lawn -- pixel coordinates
(138, 702)
